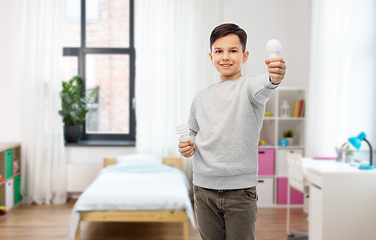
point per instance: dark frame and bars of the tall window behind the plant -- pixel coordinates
(80, 53)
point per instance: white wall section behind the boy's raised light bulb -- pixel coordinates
(289, 21)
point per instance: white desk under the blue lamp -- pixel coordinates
(342, 201)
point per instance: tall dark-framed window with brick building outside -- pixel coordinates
(98, 46)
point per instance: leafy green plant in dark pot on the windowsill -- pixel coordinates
(74, 107)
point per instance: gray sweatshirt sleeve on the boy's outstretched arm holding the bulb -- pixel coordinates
(261, 89)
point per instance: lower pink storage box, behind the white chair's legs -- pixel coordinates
(296, 197)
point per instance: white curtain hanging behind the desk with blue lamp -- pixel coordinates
(342, 89)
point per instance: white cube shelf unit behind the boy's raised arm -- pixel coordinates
(272, 132)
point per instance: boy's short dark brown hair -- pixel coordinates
(226, 29)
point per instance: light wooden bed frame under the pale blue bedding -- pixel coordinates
(136, 216)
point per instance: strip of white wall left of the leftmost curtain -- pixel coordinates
(9, 85)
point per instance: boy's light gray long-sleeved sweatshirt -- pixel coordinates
(225, 122)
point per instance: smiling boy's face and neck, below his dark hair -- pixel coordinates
(227, 56)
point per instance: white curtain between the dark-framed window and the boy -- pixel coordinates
(172, 65)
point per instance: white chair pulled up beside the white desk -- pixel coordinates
(296, 180)
